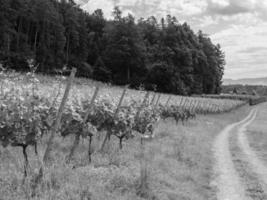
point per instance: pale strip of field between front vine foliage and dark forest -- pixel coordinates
(83, 89)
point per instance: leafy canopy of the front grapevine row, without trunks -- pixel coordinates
(26, 115)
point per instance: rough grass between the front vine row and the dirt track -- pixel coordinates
(178, 160)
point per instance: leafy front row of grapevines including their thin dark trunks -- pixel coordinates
(26, 115)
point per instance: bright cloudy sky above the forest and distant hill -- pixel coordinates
(240, 26)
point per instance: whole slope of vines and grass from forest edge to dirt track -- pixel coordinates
(150, 162)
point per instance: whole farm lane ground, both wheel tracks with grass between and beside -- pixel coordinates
(240, 170)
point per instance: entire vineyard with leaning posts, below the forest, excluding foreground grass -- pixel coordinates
(32, 110)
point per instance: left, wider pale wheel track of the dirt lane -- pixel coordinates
(226, 180)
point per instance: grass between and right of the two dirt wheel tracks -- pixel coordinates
(258, 141)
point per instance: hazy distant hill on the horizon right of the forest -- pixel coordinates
(246, 81)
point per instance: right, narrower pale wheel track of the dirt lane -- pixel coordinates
(256, 164)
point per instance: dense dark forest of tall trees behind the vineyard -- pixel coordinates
(162, 55)
